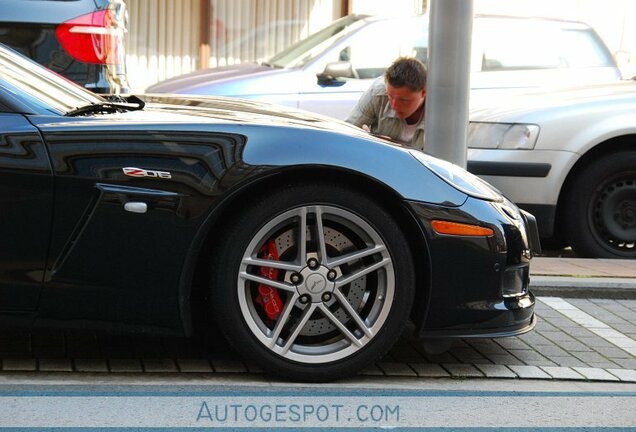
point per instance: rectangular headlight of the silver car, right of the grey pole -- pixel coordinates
(508, 136)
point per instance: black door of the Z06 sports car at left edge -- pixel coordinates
(26, 193)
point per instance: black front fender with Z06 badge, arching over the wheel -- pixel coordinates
(204, 166)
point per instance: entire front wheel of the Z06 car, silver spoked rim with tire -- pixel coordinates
(322, 350)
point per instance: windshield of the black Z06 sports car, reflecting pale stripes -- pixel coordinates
(39, 87)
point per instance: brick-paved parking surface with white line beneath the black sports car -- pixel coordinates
(561, 347)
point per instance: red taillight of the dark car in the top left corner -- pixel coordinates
(92, 38)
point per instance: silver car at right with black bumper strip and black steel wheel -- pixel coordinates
(569, 157)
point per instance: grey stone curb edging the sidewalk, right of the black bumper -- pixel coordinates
(583, 287)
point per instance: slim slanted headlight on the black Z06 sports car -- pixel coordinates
(458, 177)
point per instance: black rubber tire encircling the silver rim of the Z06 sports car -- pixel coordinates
(225, 304)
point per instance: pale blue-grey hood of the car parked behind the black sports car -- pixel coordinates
(236, 80)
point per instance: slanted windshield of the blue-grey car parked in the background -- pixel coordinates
(305, 50)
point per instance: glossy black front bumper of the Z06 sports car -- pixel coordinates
(478, 285)
